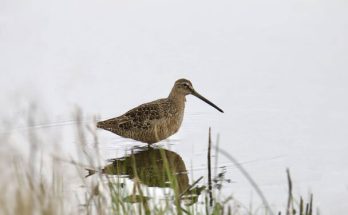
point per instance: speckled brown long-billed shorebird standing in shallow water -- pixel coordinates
(154, 121)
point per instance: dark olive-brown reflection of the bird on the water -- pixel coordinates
(155, 167)
